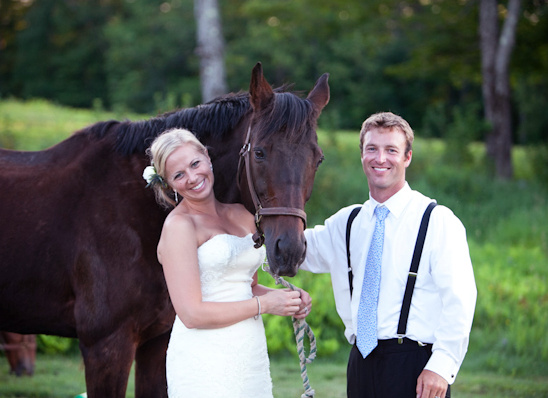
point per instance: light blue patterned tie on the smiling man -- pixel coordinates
(367, 311)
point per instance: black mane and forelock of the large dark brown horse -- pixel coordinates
(214, 119)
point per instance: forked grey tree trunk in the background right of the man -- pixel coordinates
(495, 57)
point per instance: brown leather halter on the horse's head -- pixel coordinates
(258, 236)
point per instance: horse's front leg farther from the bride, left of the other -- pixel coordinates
(107, 365)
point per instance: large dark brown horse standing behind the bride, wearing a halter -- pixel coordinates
(79, 229)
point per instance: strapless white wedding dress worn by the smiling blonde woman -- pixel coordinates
(229, 362)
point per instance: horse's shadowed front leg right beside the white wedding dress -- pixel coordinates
(150, 368)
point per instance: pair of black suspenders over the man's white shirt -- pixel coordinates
(411, 278)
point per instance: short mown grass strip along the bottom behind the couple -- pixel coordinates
(59, 376)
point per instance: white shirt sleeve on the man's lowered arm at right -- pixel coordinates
(452, 272)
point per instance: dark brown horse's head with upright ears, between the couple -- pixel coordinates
(281, 155)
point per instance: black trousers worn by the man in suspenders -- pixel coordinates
(390, 371)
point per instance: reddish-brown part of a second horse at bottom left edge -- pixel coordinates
(20, 351)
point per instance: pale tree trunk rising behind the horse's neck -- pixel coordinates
(210, 49)
